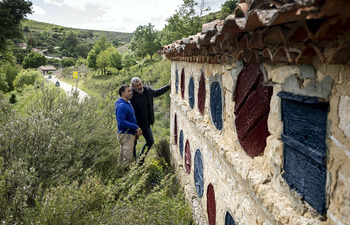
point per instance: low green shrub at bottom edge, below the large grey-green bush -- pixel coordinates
(74, 203)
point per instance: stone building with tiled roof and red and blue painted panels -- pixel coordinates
(260, 125)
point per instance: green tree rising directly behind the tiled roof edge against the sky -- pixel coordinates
(184, 22)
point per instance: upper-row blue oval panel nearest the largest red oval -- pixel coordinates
(216, 104)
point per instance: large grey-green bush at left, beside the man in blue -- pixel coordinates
(59, 142)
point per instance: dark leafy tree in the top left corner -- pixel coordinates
(11, 14)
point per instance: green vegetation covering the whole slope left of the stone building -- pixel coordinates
(58, 158)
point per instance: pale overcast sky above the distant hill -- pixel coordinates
(110, 15)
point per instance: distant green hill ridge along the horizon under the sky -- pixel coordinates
(33, 28)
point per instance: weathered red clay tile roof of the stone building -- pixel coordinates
(292, 31)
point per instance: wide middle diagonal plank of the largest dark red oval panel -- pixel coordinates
(254, 109)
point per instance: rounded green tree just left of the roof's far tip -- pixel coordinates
(144, 41)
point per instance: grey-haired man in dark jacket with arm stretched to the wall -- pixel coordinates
(142, 101)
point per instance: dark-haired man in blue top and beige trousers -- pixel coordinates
(128, 129)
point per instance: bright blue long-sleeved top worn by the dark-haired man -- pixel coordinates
(125, 116)
